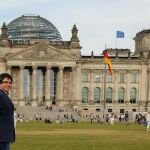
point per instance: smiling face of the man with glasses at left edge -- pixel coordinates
(6, 84)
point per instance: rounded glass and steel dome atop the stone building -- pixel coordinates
(29, 27)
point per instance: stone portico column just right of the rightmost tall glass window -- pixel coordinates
(61, 82)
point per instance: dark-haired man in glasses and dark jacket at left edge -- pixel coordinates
(7, 131)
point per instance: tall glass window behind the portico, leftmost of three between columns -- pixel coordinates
(27, 83)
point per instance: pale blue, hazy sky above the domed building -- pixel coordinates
(97, 20)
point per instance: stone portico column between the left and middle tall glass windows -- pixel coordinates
(34, 95)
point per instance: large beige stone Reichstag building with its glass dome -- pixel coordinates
(47, 70)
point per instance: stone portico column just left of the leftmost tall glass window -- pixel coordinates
(21, 86)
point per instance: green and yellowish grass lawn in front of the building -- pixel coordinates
(80, 136)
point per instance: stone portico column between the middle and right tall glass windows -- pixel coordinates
(48, 85)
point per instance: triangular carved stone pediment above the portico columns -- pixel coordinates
(41, 52)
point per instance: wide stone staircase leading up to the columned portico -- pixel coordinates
(29, 112)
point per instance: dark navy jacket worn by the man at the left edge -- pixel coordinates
(7, 132)
